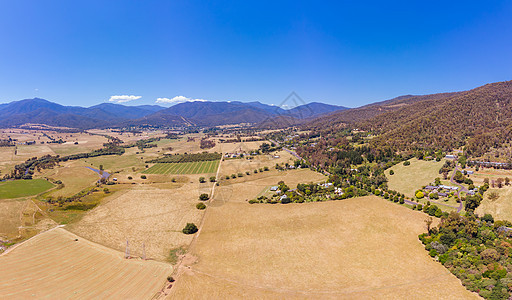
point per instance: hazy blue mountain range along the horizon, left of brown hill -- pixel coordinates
(40, 111)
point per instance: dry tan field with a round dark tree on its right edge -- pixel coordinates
(144, 214)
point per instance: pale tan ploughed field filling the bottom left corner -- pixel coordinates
(53, 265)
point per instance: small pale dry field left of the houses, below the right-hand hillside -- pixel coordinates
(408, 179)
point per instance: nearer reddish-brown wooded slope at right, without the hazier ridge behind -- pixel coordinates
(480, 118)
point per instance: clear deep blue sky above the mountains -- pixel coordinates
(345, 53)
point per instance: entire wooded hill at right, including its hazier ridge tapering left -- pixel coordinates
(479, 119)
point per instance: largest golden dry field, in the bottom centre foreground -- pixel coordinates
(360, 248)
